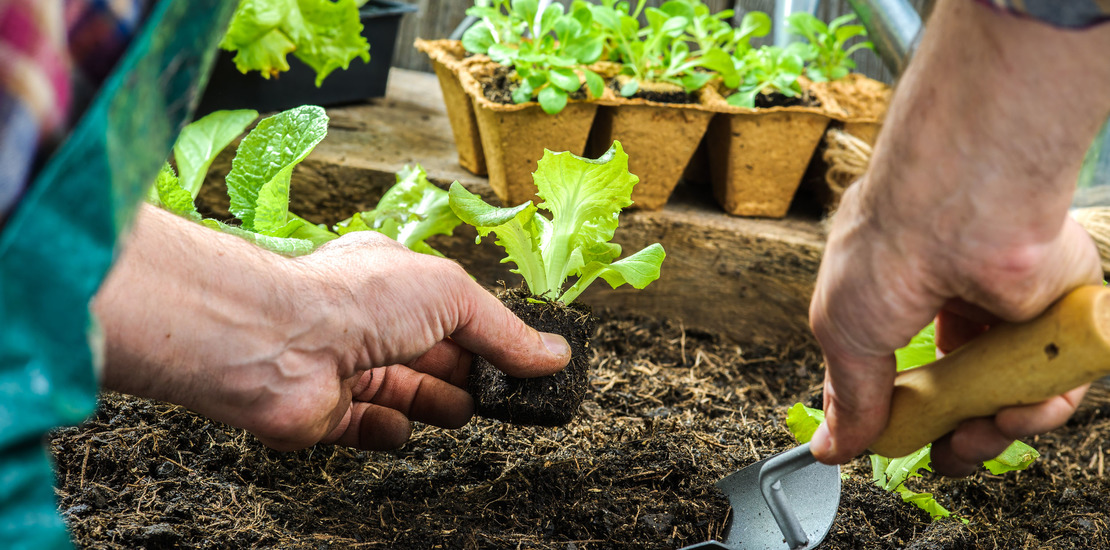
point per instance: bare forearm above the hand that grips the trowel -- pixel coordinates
(991, 125)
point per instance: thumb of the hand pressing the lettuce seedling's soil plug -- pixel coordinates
(491, 331)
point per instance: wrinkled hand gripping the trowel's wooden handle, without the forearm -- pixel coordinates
(880, 287)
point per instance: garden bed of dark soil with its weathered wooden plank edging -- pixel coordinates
(692, 378)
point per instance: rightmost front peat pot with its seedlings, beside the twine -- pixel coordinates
(775, 106)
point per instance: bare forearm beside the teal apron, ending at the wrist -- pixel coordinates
(179, 283)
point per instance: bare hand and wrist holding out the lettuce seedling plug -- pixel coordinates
(347, 345)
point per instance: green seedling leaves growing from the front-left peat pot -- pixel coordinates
(548, 63)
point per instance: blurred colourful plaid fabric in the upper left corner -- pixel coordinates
(54, 54)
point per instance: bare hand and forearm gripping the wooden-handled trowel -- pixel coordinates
(963, 216)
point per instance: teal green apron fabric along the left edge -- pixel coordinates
(60, 242)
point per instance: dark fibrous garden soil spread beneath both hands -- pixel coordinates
(669, 414)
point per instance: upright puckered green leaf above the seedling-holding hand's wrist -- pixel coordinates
(260, 174)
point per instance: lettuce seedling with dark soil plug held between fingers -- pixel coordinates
(584, 198)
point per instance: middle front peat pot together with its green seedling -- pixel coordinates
(657, 103)
